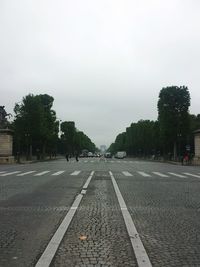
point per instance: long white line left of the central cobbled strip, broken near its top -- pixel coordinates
(50, 251)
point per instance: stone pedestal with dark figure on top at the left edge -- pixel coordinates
(6, 138)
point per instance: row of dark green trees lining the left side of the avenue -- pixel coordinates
(38, 131)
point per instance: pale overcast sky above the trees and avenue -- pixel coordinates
(103, 61)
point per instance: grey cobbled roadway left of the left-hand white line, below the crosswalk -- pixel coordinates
(31, 209)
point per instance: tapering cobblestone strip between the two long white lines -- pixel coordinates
(99, 219)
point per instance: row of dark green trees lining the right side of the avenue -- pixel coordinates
(170, 136)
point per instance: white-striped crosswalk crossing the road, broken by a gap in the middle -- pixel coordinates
(141, 173)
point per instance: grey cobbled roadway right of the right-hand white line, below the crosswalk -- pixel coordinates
(166, 213)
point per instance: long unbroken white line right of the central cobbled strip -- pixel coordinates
(138, 248)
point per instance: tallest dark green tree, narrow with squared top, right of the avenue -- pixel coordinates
(173, 117)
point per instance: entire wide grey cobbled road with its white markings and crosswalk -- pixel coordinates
(115, 213)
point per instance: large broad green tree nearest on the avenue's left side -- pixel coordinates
(35, 125)
